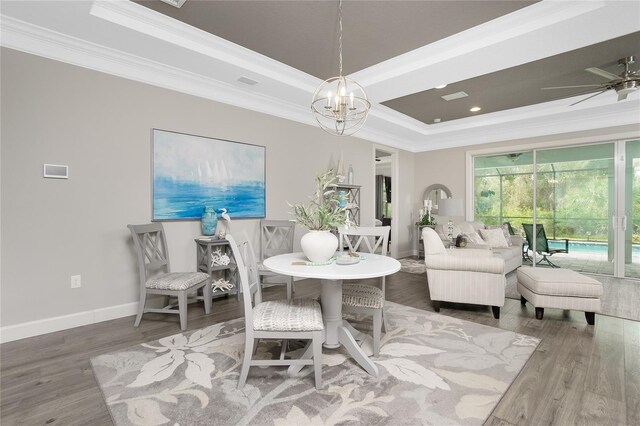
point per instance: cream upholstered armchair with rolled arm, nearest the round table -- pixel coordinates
(463, 275)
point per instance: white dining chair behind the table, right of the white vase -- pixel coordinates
(364, 298)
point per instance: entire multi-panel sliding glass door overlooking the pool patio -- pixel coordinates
(587, 202)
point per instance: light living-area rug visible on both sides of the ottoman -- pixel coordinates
(620, 297)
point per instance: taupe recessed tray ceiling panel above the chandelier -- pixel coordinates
(303, 34)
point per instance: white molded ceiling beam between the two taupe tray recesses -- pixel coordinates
(538, 31)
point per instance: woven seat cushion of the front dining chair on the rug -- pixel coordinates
(283, 315)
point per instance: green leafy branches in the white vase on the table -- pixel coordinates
(323, 213)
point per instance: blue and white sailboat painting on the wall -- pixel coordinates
(191, 172)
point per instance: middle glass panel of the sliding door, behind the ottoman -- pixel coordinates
(575, 199)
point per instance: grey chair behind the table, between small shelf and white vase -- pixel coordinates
(276, 237)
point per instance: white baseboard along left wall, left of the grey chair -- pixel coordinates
(65, 322)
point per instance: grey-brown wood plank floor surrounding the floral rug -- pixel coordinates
(579, 374)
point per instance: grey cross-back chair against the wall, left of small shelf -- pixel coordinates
(155, 276)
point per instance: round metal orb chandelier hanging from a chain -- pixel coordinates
(340, 105)
